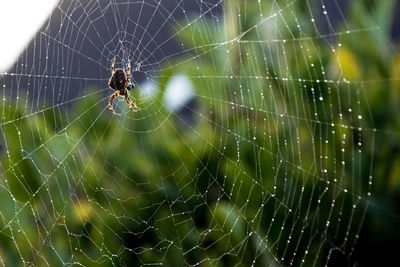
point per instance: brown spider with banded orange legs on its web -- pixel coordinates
(121, 81)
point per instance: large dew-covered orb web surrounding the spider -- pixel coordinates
(272, 167)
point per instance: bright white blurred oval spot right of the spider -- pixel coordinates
(178, 92)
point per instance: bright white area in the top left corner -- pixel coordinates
(19, 22)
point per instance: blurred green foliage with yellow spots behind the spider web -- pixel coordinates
(288, 126)
